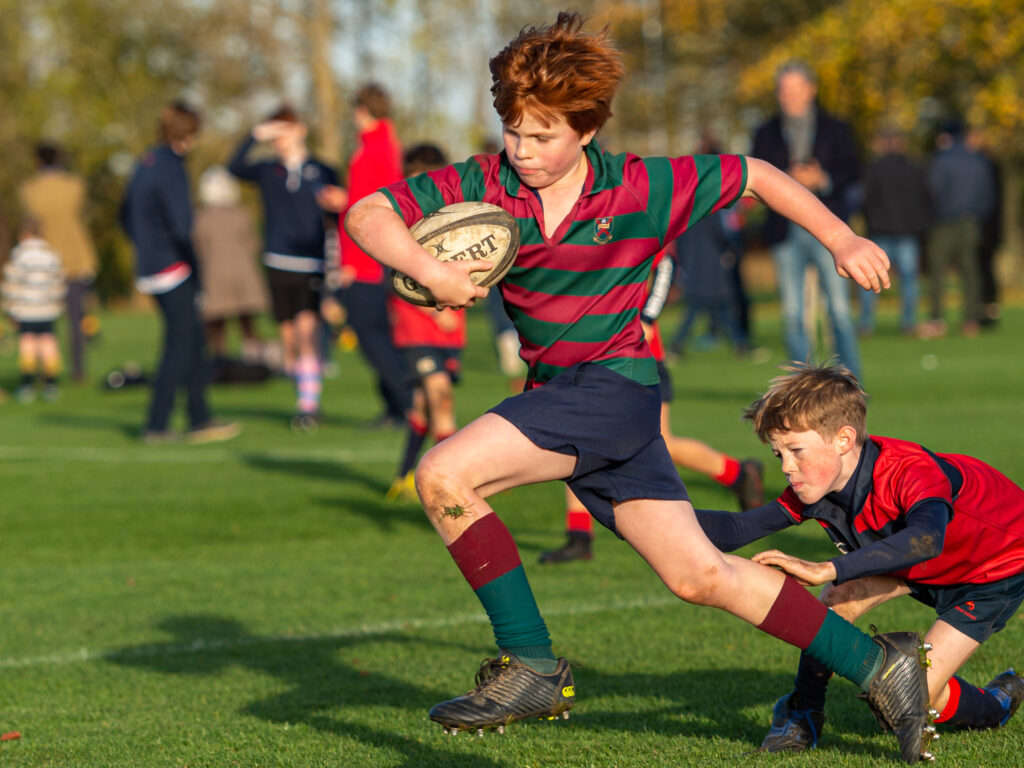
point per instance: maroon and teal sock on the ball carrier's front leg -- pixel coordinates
(488, 558)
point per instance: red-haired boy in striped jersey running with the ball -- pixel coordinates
(590, 225)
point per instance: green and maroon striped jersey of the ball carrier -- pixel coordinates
(576, 297)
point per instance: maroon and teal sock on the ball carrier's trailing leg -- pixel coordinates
(799, 619)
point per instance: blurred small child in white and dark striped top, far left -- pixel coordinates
(33, 296)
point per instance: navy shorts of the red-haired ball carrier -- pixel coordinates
(612, 424)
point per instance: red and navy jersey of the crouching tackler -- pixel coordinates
(985, 539)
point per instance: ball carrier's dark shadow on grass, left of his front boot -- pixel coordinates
(324, 687)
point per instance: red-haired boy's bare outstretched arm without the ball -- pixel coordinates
(856, 258)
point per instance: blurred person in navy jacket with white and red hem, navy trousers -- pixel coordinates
(157, 216)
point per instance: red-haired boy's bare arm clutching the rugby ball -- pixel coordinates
(381, 233)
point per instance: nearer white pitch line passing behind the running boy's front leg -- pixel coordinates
(150, 651)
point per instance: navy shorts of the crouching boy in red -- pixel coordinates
(979, 611)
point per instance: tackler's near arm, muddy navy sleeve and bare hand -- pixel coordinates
(921, 540)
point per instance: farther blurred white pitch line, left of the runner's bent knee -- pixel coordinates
(197, 455)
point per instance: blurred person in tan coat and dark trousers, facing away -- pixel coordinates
(57, 199)
